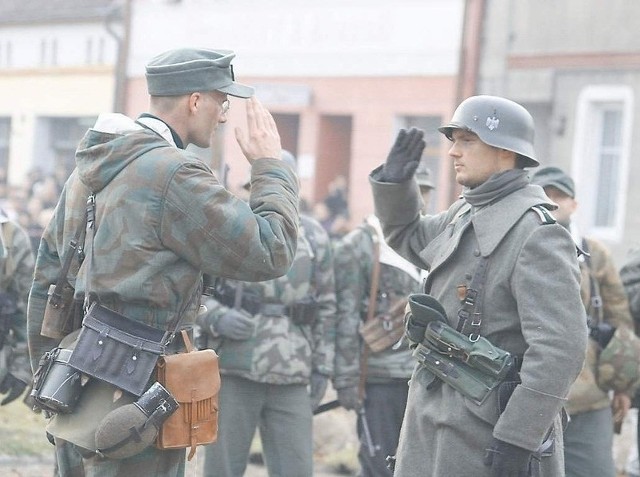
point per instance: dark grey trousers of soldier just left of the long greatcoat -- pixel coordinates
(384, 409)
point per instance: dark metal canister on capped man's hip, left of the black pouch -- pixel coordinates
(56, 385)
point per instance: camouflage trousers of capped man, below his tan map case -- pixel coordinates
(151, 463)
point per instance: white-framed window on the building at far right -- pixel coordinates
(601, 159)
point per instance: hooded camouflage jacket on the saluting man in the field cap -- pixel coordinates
(162, 219)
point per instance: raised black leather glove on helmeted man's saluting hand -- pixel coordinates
(404, 157)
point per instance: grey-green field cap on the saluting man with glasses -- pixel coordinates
(187, 70)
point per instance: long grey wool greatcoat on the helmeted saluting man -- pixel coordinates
(532, 308)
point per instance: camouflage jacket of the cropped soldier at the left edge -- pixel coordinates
(16, 273)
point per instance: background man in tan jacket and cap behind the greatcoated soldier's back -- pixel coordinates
(588, 438)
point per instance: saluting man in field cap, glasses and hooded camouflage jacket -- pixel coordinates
(162, 219)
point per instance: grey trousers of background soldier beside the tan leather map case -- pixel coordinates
(282, 413)
